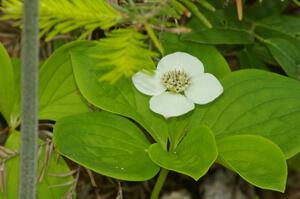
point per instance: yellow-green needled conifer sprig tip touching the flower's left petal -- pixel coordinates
(123, 53)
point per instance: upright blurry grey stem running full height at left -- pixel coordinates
(29, 85)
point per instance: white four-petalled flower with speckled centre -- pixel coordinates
(178, 82)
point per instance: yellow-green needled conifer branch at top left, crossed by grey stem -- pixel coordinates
(62, 16)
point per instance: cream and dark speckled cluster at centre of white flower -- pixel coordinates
(176, 80)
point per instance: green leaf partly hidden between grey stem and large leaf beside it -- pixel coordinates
(58, 93)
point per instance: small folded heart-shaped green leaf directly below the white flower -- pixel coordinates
(193, 156)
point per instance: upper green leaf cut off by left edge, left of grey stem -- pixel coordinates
(8, 93)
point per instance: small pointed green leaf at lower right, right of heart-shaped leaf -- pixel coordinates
(256, 159)
